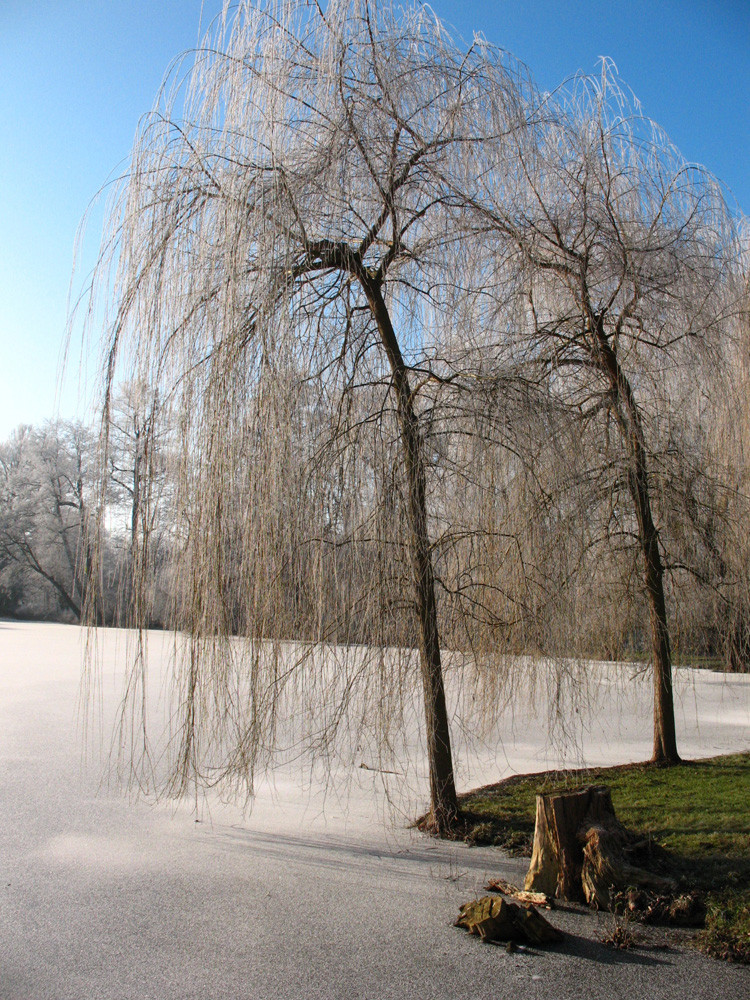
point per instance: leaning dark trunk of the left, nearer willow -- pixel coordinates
(443, 800)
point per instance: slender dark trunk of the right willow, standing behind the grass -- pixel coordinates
(665, 738)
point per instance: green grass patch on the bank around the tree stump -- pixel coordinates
(699, 811)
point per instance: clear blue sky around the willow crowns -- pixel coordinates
(75, 76)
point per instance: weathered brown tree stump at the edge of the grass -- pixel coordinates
(581, 850)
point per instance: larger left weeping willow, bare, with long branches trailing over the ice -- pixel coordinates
(284, 272)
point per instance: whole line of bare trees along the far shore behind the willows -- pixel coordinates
(557, 572)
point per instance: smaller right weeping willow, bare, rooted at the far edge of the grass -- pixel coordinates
(625, 260)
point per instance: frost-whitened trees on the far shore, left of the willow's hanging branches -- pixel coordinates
(49, 478)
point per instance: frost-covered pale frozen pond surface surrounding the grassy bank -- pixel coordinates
(317, 892)
